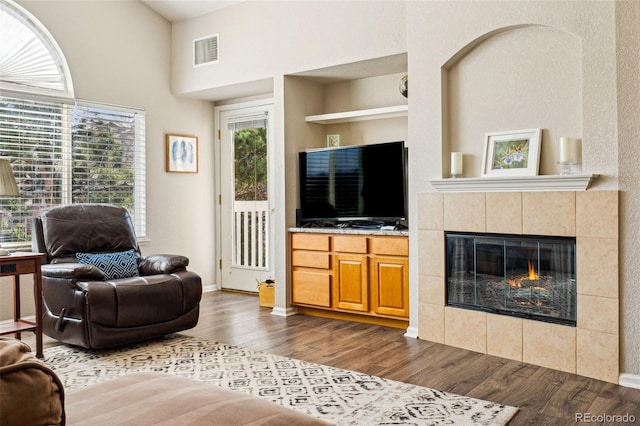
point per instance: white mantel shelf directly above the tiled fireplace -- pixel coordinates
(577, 182)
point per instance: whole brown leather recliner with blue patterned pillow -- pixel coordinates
(94, 294)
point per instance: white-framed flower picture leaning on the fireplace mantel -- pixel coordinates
(512, 153)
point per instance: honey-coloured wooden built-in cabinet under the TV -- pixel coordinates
(353, 275)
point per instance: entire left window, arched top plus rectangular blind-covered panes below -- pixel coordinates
(62, 150)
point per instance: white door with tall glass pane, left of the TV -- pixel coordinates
(245, 229)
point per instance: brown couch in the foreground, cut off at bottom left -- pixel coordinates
(32, 394)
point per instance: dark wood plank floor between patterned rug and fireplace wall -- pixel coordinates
(544, 396)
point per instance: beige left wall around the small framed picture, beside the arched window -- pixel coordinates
(120, 53)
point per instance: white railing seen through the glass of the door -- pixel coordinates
(251, 234)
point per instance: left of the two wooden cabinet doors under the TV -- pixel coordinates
(351, 282)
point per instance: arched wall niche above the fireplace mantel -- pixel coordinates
(512, 78)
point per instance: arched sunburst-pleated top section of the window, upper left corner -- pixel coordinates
(30, 59)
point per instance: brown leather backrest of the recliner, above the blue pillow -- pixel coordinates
(63, 231)
